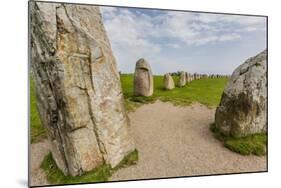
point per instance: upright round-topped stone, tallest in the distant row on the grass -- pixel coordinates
(143, 79)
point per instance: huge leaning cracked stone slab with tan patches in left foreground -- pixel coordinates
(79, 95)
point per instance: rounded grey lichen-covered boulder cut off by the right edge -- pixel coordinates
(243, 107)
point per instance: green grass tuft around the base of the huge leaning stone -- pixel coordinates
(100, 174)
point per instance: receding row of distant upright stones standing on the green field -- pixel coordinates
(143, 79)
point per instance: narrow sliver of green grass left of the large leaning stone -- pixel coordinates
(37, 130)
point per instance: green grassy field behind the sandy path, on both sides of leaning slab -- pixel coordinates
(205, 91)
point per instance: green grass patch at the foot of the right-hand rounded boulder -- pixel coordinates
(255, 144)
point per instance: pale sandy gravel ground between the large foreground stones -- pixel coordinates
(172, 141)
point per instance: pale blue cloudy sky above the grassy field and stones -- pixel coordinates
(172, 40)
